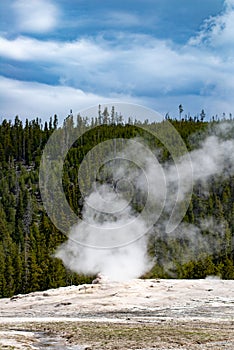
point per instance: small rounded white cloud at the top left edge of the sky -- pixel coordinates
(35, 16)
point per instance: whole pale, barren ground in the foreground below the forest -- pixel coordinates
(140, 314)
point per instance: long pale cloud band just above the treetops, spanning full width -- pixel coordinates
(31, 99)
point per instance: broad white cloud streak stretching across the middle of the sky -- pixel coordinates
(145, 65)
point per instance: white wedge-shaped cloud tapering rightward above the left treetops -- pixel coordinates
(31, 99)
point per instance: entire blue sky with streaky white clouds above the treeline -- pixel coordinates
(74, 54)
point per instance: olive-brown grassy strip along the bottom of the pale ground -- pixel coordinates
(118, 336)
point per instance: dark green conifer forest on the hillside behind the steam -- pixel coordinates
(28, 238)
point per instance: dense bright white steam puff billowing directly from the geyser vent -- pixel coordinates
(114, 247)
